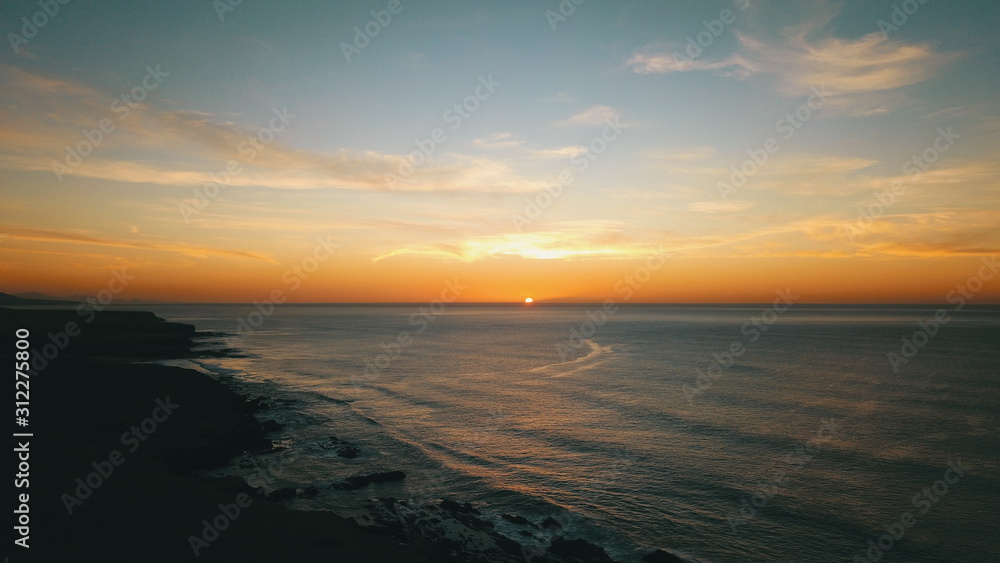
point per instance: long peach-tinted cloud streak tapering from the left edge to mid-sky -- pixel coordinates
(184, 148)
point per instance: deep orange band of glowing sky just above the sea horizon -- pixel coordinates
(355, 279)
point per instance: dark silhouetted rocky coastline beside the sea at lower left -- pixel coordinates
(116, 447)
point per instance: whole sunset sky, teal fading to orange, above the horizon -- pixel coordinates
(384, 151)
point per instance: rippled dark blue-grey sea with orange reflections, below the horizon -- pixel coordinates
(807, 441)
